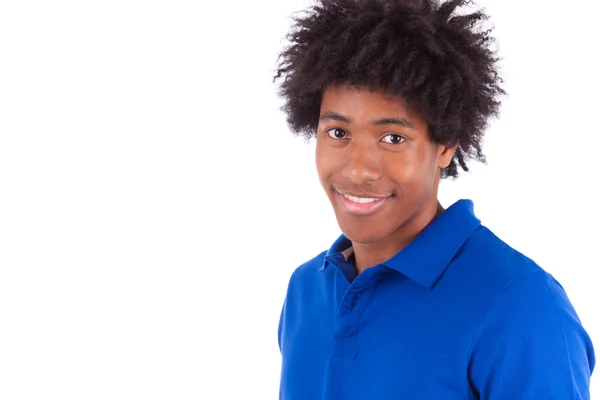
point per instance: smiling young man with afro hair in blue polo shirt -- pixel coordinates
(413, 301)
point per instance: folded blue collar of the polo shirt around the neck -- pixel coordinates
(425, 259)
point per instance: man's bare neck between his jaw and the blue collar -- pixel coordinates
(370, 254)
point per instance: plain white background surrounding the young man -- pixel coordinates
(153, 202)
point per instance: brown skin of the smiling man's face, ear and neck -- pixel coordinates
(370, 144)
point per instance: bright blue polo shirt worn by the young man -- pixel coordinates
(457, 314)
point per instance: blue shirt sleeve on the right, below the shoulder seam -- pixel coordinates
(531, 345)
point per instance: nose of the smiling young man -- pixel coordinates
(362, 164)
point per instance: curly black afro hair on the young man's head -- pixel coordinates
(439, 61)
